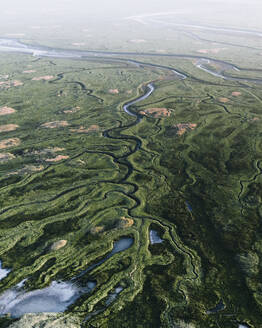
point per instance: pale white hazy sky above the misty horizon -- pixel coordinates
(107, 8)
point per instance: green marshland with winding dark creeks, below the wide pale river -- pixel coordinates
(76, 175)
